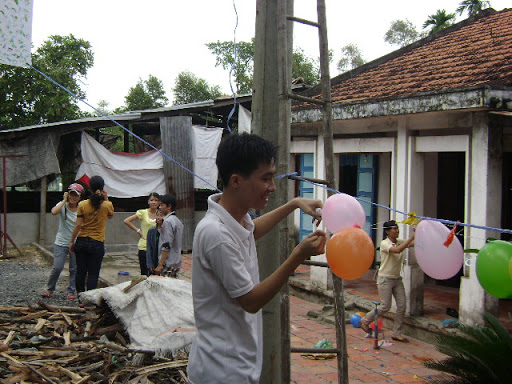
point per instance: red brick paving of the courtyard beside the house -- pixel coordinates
(398, 363)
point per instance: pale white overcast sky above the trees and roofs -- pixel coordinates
(133, 39)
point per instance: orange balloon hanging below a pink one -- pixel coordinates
(350, 253)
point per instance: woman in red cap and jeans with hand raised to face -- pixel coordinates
(66, 209)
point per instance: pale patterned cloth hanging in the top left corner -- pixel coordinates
(15, 32)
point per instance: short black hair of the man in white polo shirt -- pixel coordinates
(243, 154)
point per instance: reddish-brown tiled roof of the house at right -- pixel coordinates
(474, 52)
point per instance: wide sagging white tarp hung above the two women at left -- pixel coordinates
(125, 174)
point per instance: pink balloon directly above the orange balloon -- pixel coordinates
(342, 211)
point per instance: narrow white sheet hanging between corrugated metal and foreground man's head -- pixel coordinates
(206, 141)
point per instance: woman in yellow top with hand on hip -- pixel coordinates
(147, 218)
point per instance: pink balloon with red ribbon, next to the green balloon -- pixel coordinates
(434, 258)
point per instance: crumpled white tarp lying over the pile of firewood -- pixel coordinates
(157, 313)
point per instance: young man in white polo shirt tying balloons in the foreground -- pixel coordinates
(228, 295)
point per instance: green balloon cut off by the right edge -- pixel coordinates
(493, 268)
